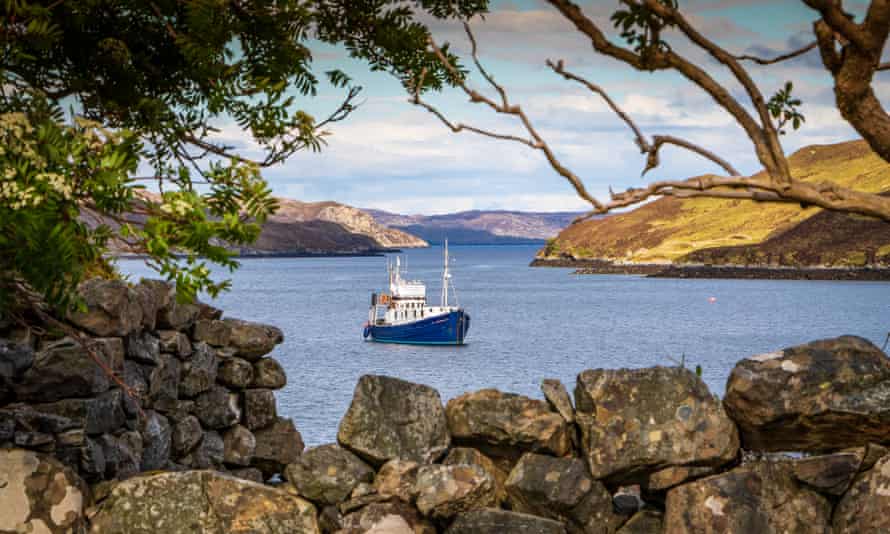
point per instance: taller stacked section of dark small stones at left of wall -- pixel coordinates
(196, 391)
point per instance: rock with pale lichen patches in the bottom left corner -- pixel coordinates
(38, 494)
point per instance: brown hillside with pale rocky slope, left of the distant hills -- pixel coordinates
(307, 228)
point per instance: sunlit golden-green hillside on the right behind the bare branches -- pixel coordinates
(722, 231)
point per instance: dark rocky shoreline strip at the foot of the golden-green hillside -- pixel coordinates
(735, 272)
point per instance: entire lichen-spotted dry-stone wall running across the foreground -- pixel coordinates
(191, 441)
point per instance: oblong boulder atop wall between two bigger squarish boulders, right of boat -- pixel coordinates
(506, 425)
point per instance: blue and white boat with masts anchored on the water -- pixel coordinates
(403, 316)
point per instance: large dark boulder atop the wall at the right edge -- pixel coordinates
(822, 396)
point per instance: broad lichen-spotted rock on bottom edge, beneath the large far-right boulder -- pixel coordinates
(761, 497)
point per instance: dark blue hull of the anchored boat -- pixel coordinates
(450, 329)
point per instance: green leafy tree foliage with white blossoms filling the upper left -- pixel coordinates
(148, 83)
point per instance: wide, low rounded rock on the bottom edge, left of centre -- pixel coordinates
(201, 501)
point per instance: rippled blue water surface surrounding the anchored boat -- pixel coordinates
(527, 323)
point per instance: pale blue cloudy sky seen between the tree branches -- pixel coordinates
(394, 156)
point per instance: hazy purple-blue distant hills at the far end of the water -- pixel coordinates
(479, 227)
